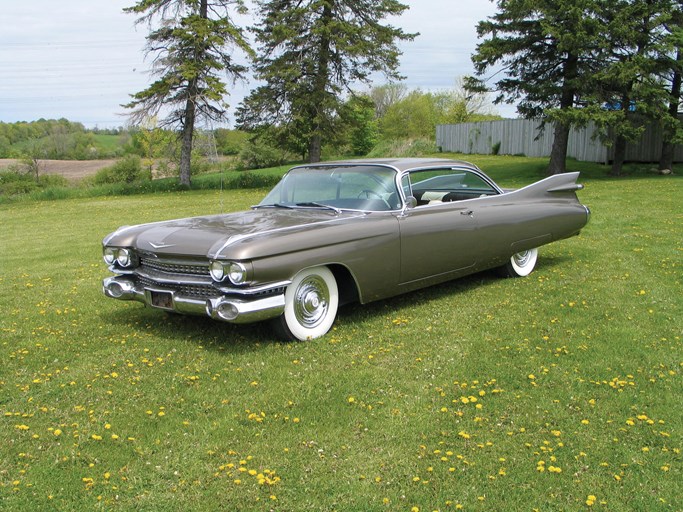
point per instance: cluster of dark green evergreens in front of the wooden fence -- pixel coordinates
(578, 61)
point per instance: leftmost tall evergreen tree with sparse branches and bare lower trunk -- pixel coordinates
(192, 51)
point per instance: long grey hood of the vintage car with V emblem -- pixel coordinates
(219, 235)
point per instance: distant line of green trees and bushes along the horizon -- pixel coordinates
(369, 122)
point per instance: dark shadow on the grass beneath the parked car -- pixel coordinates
(247, 337)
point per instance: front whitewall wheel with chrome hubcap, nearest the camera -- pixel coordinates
(311, 304)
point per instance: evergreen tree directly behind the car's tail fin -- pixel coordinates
(546, 49)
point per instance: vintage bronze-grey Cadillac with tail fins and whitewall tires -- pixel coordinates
(337, 232)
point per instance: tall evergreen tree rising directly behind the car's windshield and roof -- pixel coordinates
(311, 52)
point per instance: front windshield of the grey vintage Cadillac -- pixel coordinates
(362, 187)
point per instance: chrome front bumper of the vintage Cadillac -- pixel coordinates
(238, 310)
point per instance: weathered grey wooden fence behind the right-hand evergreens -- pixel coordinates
(528, 137)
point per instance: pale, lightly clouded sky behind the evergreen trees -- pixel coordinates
(82, 59)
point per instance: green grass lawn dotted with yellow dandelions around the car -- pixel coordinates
(561, 391)
